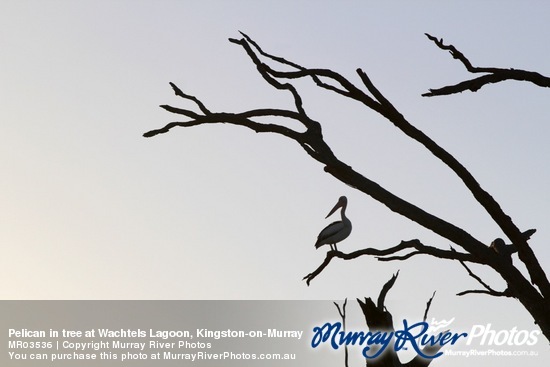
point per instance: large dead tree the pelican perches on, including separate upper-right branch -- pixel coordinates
(532, 290)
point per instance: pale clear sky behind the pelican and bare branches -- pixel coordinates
(92, 210)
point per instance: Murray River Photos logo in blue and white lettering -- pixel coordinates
(417, 336)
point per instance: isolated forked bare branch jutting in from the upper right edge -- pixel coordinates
(494, 75)
